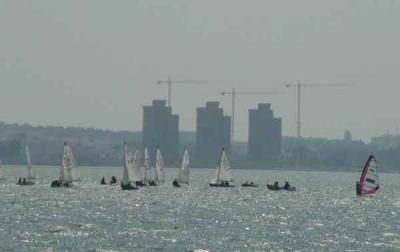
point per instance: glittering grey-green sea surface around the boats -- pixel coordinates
(322, 215)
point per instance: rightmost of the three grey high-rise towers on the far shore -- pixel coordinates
(265, 133)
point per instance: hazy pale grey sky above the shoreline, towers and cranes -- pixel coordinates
(95, 63)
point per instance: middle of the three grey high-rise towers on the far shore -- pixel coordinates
(213, 132)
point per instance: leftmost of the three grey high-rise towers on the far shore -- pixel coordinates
(161, 128)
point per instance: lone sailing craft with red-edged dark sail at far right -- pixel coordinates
(369, 180)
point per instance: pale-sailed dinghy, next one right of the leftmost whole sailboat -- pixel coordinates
(65, 178)
